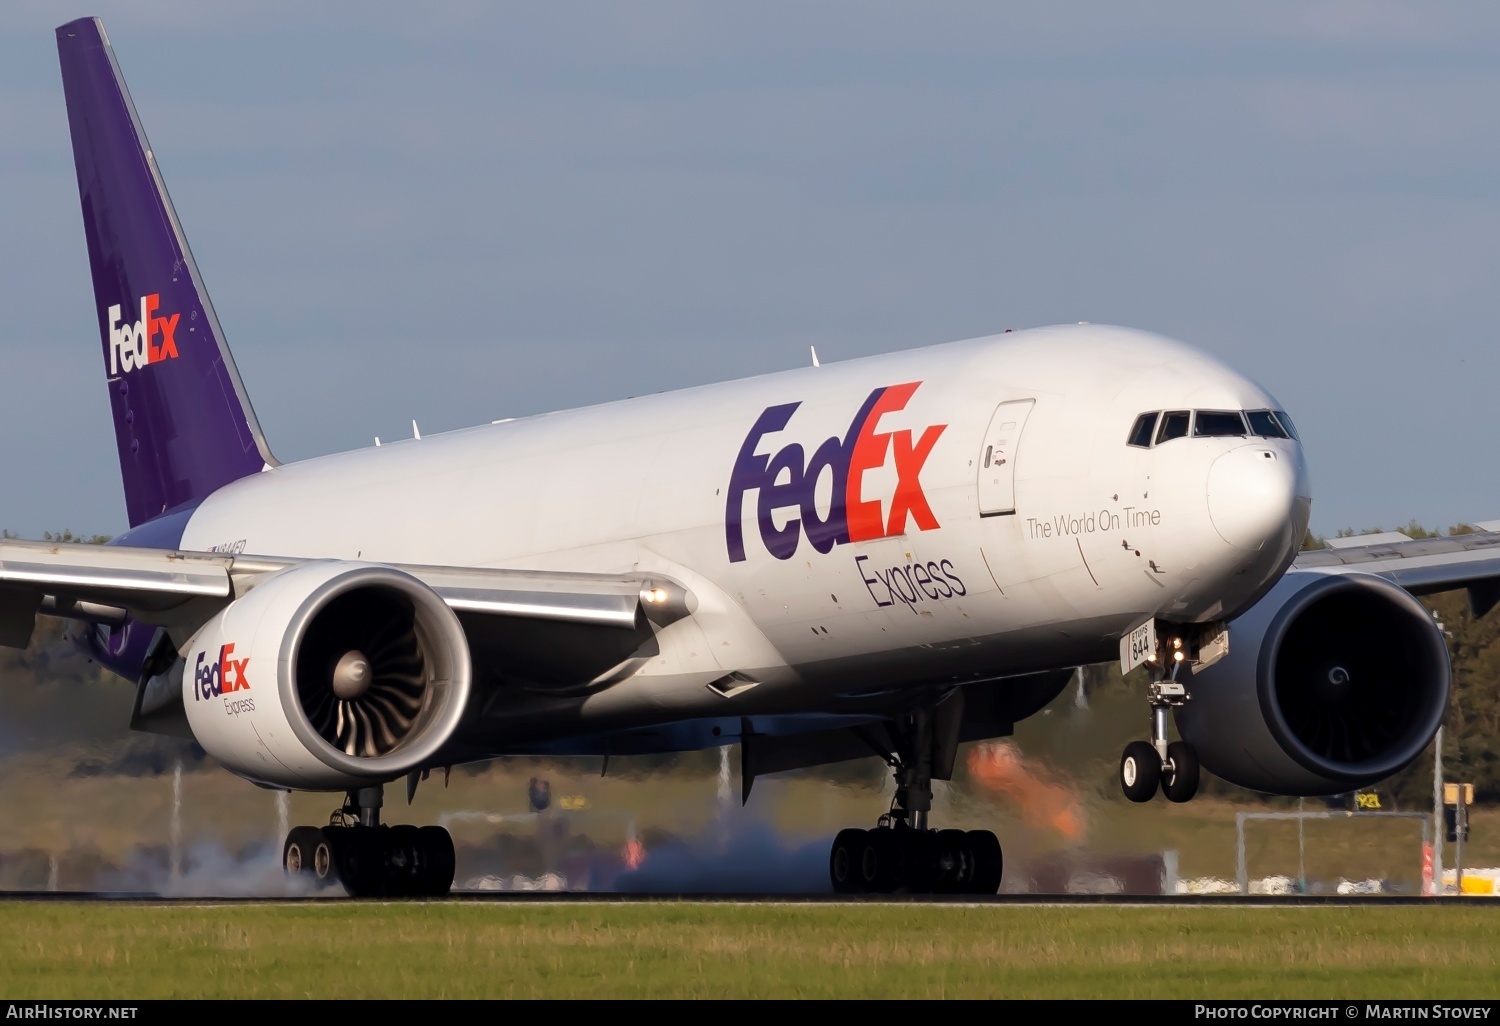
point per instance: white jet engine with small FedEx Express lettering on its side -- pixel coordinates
(329, 676)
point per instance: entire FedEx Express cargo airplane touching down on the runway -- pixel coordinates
(883, 557)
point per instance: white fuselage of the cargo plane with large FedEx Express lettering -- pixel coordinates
(1085, 536)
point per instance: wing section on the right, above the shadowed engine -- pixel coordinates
(1421, 566)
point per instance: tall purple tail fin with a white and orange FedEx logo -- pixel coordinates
(182, 419)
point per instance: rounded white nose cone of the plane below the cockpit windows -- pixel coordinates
(1256, 494)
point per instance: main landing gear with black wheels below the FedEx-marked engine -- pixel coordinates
(368, 857)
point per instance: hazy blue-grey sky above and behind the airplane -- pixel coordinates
(458, 212)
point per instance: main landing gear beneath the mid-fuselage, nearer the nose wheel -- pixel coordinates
(902, 854)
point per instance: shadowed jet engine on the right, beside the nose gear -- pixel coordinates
(1333, 683)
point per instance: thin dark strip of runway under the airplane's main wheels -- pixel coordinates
(968, 901)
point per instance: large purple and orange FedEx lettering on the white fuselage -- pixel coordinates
(788, 481)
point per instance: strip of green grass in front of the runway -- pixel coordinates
(694, 950)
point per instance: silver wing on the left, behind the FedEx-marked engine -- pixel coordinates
(184, 590)
